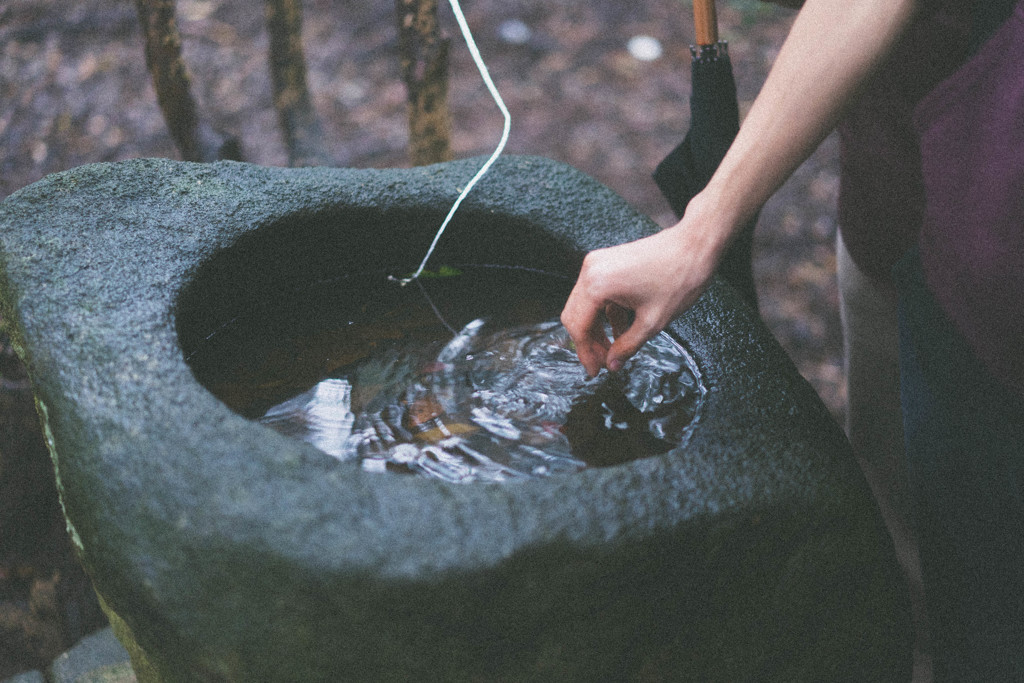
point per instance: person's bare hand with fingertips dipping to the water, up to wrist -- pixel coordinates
(638, 287)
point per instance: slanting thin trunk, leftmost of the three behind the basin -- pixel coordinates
(196, 140)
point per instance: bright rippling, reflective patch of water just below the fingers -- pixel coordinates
(495, 405)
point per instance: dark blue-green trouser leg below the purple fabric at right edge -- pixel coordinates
(965, 446)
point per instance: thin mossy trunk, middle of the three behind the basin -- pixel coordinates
(303, 131)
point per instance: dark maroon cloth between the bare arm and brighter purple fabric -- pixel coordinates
(882, 196)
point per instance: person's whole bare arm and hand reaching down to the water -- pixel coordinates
(833, 48)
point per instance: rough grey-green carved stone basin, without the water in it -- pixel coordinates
(230, 552)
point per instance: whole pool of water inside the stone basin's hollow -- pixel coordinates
(463, 375)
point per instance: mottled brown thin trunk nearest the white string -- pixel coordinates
(424, 68)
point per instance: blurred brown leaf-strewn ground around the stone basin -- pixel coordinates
(74, 90)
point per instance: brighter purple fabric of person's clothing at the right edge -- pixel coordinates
(972, 241)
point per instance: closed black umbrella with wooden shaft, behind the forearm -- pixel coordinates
(714, 124)
